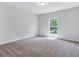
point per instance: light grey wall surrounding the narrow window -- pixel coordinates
(68, 26)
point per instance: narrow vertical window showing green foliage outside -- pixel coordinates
(53, 27)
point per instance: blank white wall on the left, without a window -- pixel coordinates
(16, 23)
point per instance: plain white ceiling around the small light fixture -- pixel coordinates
(37, 9)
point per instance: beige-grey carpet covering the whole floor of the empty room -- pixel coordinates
(40, 47)
